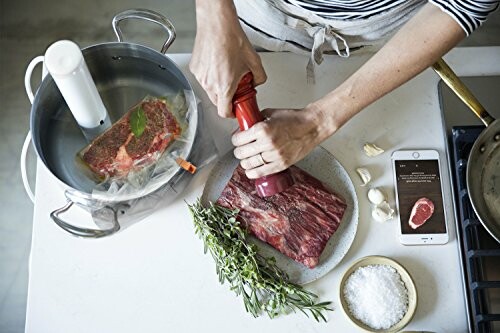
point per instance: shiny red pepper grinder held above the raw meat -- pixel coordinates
(247, 112)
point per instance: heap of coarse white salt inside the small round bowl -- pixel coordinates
(376, 295)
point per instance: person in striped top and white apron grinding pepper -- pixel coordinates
(410, 36)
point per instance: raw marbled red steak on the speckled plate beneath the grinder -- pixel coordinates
(298, 222)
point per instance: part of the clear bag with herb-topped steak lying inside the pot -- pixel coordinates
(142, 150)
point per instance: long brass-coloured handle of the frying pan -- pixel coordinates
(461, 90)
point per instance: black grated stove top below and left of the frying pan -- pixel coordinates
(480, 252)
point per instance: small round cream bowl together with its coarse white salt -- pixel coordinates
(378, 294)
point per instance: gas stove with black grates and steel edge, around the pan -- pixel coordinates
(479, 252)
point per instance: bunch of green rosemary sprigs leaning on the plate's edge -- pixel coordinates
(263, 286)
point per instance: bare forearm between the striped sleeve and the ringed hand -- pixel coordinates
(416, 46)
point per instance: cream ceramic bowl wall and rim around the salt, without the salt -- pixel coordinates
(405, 277)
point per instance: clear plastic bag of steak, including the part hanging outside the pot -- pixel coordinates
(146, 158)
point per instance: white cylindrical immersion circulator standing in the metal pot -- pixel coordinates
(64, 61)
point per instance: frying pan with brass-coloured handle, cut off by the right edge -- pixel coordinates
(483, 166)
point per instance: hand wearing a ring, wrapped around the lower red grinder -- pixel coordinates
(284, 138)
